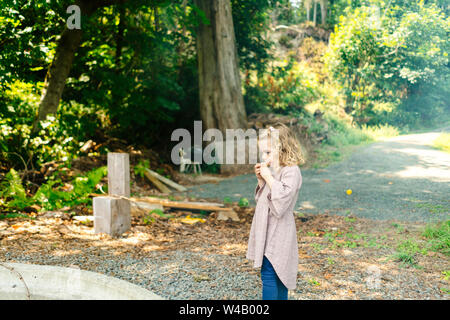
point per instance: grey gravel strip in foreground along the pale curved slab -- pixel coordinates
(178, 274)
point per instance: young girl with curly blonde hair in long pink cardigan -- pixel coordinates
(272, 243)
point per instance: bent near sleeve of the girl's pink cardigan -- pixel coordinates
(282, 192)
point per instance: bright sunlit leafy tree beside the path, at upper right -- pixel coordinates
(393, 59)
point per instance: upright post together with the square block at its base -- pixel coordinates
(111, 214)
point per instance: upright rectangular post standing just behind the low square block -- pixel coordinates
(119, 174)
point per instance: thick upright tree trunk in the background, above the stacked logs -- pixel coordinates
(221, 101)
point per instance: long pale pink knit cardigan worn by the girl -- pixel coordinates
(273, 232)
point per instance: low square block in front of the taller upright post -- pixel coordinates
(111, 215)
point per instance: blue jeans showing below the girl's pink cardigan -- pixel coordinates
(273, 288)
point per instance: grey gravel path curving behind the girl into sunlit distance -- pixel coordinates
(400, 178)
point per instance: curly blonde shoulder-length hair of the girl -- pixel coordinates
(288, 147)
